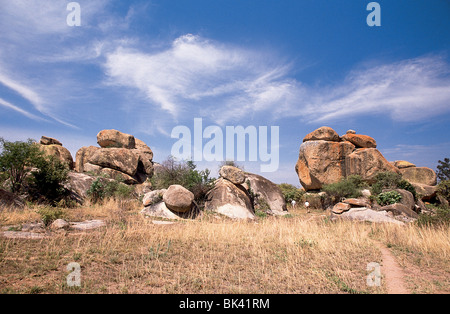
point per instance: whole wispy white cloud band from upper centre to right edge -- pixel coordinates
(228, 83)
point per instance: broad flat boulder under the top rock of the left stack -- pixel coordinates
(121, 159)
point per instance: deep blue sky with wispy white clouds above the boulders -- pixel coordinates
(145, 67)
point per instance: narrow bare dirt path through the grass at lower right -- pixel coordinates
(392, 272)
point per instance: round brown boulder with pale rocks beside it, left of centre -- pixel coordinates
(173, 203)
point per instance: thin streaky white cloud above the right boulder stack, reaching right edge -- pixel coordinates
(409, 90)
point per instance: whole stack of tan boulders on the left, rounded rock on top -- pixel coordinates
(120, 156)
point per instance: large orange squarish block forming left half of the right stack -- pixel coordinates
(322, 162)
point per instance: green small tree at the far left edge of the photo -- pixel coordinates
(16, 159)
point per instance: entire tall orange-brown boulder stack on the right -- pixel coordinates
(325, 158)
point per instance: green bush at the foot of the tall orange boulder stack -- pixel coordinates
(349, 187)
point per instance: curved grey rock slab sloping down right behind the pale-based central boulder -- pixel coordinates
(267, 191)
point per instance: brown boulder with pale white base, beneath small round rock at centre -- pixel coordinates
(230, 200)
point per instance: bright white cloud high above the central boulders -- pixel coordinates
(198, 75)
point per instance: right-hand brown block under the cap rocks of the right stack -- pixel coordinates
(367, 162)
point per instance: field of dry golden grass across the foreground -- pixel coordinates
(302, 253)
